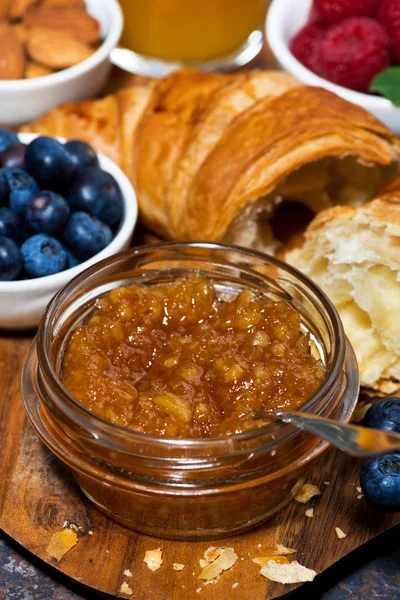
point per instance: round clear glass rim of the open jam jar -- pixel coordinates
(73, 408)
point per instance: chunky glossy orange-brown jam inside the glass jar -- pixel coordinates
(174, 360)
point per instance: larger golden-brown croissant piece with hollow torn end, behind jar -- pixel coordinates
(234, 157)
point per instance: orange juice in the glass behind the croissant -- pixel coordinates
(189, 30)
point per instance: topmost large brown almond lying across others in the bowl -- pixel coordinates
(70, 19)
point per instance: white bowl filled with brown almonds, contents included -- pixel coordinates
(53, 51)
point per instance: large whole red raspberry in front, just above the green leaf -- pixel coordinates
(353, 52)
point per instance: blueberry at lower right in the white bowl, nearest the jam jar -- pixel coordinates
(85, 235)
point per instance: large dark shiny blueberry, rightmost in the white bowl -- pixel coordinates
(96, 192)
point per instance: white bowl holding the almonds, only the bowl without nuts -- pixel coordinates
(23, 100)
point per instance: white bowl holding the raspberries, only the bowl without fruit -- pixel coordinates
(285, 18)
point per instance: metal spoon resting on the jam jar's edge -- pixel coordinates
(352, 439)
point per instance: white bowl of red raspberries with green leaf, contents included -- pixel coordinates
(350, 47)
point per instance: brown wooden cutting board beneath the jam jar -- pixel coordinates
(37, 495)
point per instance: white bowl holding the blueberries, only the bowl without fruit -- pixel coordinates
(22, 303)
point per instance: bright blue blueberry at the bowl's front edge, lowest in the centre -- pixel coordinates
(43, 255)
